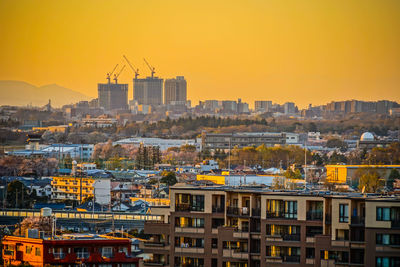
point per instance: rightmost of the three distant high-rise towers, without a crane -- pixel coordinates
(175, 91)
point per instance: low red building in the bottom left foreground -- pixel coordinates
(71, 250)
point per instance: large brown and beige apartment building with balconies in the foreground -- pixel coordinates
(223, 226)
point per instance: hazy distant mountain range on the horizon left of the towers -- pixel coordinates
(17, 93)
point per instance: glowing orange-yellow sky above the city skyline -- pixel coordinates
(281, 50)
